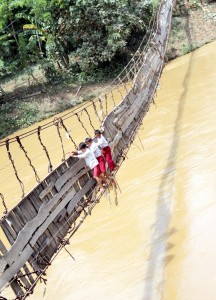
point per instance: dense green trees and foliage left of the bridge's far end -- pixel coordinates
(73, 35)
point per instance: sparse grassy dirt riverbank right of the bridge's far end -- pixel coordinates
(192, 27)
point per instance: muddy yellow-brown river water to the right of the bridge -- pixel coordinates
(160, 242)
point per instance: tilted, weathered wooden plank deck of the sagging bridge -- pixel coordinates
(40, 225)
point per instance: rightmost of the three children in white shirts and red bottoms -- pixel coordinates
(106, 151)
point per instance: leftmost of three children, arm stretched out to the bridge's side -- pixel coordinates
(91, 162)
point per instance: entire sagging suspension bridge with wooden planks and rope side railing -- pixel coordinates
(44, 220)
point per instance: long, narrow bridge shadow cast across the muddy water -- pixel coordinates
(154, 279)
